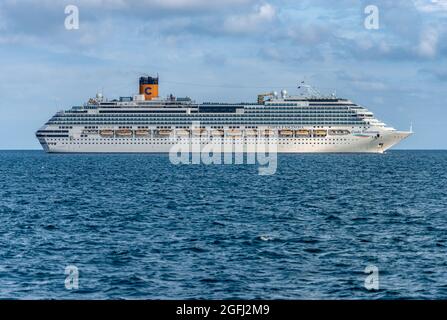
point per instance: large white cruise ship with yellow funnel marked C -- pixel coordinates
(305, 123)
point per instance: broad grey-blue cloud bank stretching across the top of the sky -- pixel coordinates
(284, 31)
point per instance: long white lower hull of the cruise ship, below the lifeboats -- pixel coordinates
(345, 144)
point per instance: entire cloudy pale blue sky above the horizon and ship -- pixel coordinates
(226, 50)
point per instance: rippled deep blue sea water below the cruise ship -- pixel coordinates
(138, 227)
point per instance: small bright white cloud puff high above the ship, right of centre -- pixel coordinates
(251, 22)
